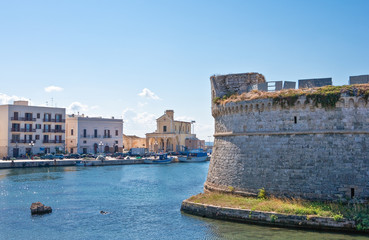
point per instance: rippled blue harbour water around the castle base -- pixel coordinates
(143, 202)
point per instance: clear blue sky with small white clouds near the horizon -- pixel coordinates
(100, 55)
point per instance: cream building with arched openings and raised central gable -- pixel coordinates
(170, 134)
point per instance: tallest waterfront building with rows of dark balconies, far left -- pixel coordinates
(26, 130)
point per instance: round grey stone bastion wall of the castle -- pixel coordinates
(301, 150)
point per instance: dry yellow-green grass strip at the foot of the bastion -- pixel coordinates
(358, 212)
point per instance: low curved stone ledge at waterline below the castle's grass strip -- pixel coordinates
(268, 218)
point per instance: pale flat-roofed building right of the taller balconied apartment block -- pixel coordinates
(93, 134)
